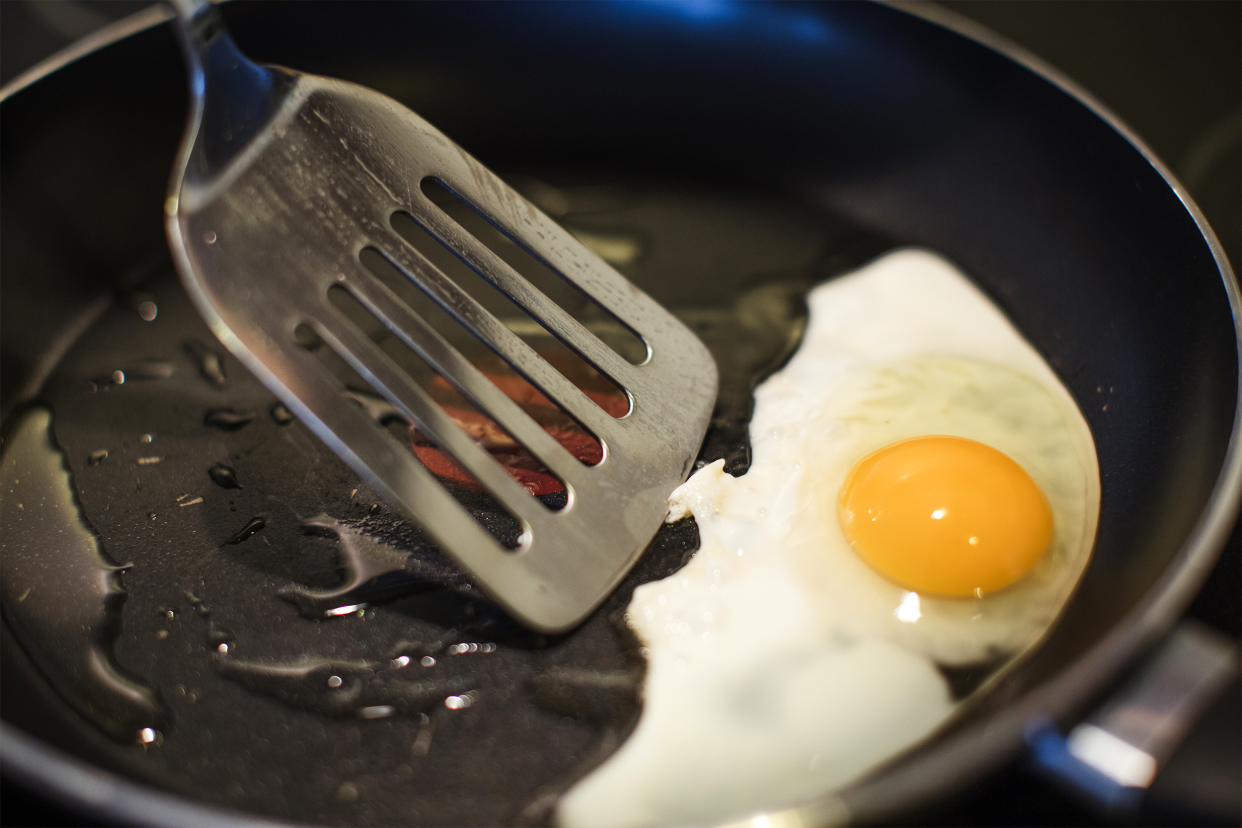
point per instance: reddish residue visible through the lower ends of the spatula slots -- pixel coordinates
(519, 462)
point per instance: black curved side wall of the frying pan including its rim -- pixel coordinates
(889, 116)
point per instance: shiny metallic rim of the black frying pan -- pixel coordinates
(972, 753)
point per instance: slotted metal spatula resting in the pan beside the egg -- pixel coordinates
(284, 181)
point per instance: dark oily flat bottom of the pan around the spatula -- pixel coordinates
(254, 629)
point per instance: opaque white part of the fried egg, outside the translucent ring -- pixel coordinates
(752, 701)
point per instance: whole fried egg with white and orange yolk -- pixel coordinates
(923, 493)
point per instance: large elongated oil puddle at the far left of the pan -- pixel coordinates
(60, 592)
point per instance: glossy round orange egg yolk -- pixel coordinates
(946, 516)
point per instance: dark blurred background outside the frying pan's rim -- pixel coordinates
(1173, 71)
